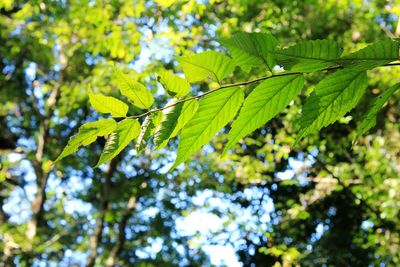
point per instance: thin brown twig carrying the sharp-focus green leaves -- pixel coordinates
(240, 84)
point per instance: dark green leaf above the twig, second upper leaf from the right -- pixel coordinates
(309, 56)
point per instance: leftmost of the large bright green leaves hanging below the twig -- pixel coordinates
(215, 111)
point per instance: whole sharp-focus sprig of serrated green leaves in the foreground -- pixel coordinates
(197, 119)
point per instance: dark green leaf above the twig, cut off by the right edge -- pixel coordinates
(377, 54)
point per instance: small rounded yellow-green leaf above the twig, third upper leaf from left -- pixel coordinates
(173, 84)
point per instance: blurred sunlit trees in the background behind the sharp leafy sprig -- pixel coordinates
(325, 202)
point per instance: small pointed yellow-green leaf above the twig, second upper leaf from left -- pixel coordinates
(136, 92)
